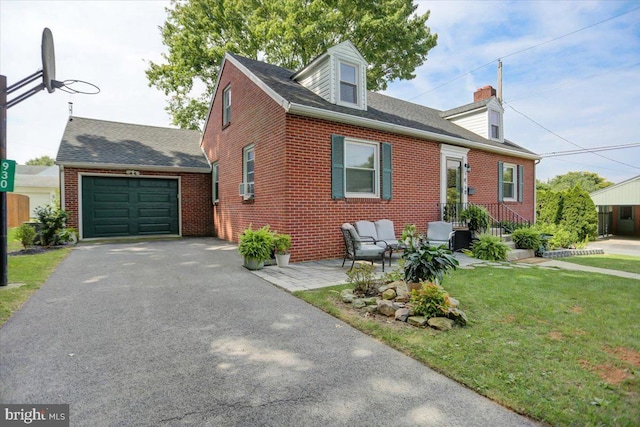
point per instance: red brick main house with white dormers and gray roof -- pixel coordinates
(307, 151)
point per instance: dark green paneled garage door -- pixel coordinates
(114, 207)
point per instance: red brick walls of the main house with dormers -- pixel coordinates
(293, 174)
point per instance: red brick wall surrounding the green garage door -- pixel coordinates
(195, 194)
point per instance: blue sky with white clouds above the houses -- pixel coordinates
(584, 87)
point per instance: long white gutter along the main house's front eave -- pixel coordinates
(319, 113)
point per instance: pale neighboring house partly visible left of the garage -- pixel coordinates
(39, 183)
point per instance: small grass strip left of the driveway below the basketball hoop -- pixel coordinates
(33, 271)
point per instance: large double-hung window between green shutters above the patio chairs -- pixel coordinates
(361, 169)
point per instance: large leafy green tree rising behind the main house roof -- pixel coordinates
(388, 33)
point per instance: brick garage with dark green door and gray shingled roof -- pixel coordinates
(120, 179)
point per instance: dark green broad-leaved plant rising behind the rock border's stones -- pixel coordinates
(427, 263)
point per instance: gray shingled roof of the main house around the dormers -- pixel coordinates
(379, 107)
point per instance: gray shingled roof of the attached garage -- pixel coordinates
(99, 142)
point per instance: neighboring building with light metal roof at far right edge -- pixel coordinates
(619, 208)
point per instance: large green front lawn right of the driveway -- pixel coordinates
(536, 342)
